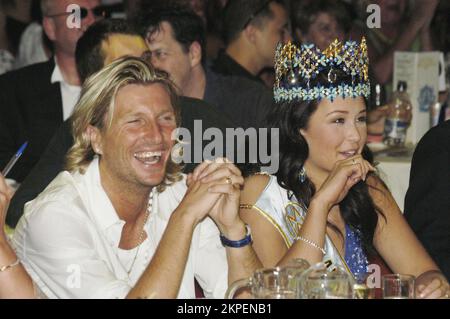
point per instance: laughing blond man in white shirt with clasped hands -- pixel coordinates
(126, 224)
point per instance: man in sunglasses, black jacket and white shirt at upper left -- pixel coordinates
(35, 100)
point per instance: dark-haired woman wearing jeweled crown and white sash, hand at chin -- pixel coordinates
(326, 202)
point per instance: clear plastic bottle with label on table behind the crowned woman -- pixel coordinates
(398, 118)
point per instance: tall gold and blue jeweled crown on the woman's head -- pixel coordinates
(296, 68)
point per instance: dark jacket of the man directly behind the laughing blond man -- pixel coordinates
(52, 161)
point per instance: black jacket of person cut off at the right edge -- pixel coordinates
(427, 202)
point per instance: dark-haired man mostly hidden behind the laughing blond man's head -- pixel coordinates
(102, 43)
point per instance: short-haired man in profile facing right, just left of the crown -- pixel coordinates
(252, 29)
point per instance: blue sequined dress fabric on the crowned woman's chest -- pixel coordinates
(355, 257)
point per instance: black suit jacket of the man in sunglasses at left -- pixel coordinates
(30, 110)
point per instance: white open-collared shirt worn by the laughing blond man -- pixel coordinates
(69, 235)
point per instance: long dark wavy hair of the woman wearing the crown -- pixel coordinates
(357, 208)
